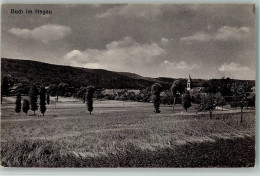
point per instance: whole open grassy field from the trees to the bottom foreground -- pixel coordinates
(125, 134)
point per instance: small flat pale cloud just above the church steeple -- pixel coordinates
(182, 65)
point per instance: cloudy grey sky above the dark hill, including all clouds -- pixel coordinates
(153, 40)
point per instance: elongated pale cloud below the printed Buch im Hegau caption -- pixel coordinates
(45, 33)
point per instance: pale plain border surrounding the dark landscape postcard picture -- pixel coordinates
(147, 171)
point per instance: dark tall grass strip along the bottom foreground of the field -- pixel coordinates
(237, 152)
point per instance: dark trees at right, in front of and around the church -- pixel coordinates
(211, 100)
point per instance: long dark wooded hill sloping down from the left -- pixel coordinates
(46, 74)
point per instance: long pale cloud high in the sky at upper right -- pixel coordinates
(224, 33)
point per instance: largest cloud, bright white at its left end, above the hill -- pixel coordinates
(125, 54)
